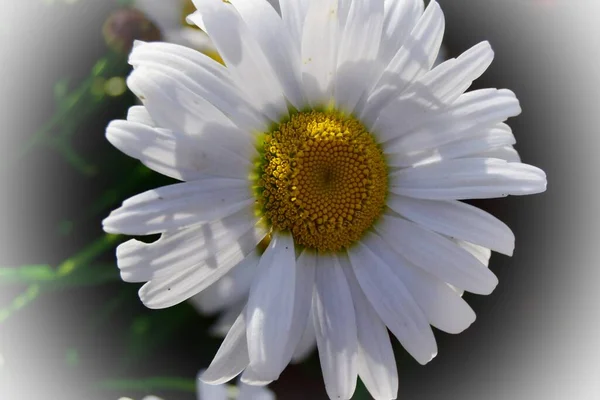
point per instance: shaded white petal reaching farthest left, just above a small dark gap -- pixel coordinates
(178, 206)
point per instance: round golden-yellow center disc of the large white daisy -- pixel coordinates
(322, 177)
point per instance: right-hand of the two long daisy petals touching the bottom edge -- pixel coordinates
(376, 362)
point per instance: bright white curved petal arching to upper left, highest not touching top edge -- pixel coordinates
(207, 78)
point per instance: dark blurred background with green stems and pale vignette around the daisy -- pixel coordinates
(87, 336)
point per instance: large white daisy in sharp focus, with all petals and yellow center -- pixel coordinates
(328, 138)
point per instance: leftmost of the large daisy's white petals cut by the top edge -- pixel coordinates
(243, 57)
